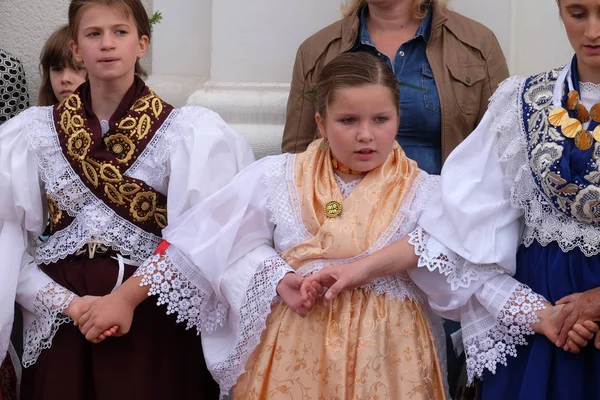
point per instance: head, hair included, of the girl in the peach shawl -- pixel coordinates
(357, 103)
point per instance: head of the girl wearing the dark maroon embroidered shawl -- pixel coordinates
(109, 36)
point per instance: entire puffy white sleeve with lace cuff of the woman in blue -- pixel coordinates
(468, 237)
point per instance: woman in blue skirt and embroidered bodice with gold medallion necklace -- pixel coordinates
(520, 196)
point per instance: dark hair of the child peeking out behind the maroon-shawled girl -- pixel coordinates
(55, 53)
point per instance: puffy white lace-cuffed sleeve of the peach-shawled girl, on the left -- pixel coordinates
(220, 271)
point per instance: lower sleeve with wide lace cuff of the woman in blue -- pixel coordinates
(495, 310)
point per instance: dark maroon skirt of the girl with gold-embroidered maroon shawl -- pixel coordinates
(157, 360)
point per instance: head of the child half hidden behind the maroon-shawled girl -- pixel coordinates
(61, 74)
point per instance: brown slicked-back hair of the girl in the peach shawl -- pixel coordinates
(351, 70)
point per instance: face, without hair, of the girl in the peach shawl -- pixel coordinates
(361, 126)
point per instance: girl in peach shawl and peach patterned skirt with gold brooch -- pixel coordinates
(236, 262)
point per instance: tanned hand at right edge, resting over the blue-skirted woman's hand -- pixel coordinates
(578, 308)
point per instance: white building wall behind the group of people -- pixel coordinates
(236, 56)
